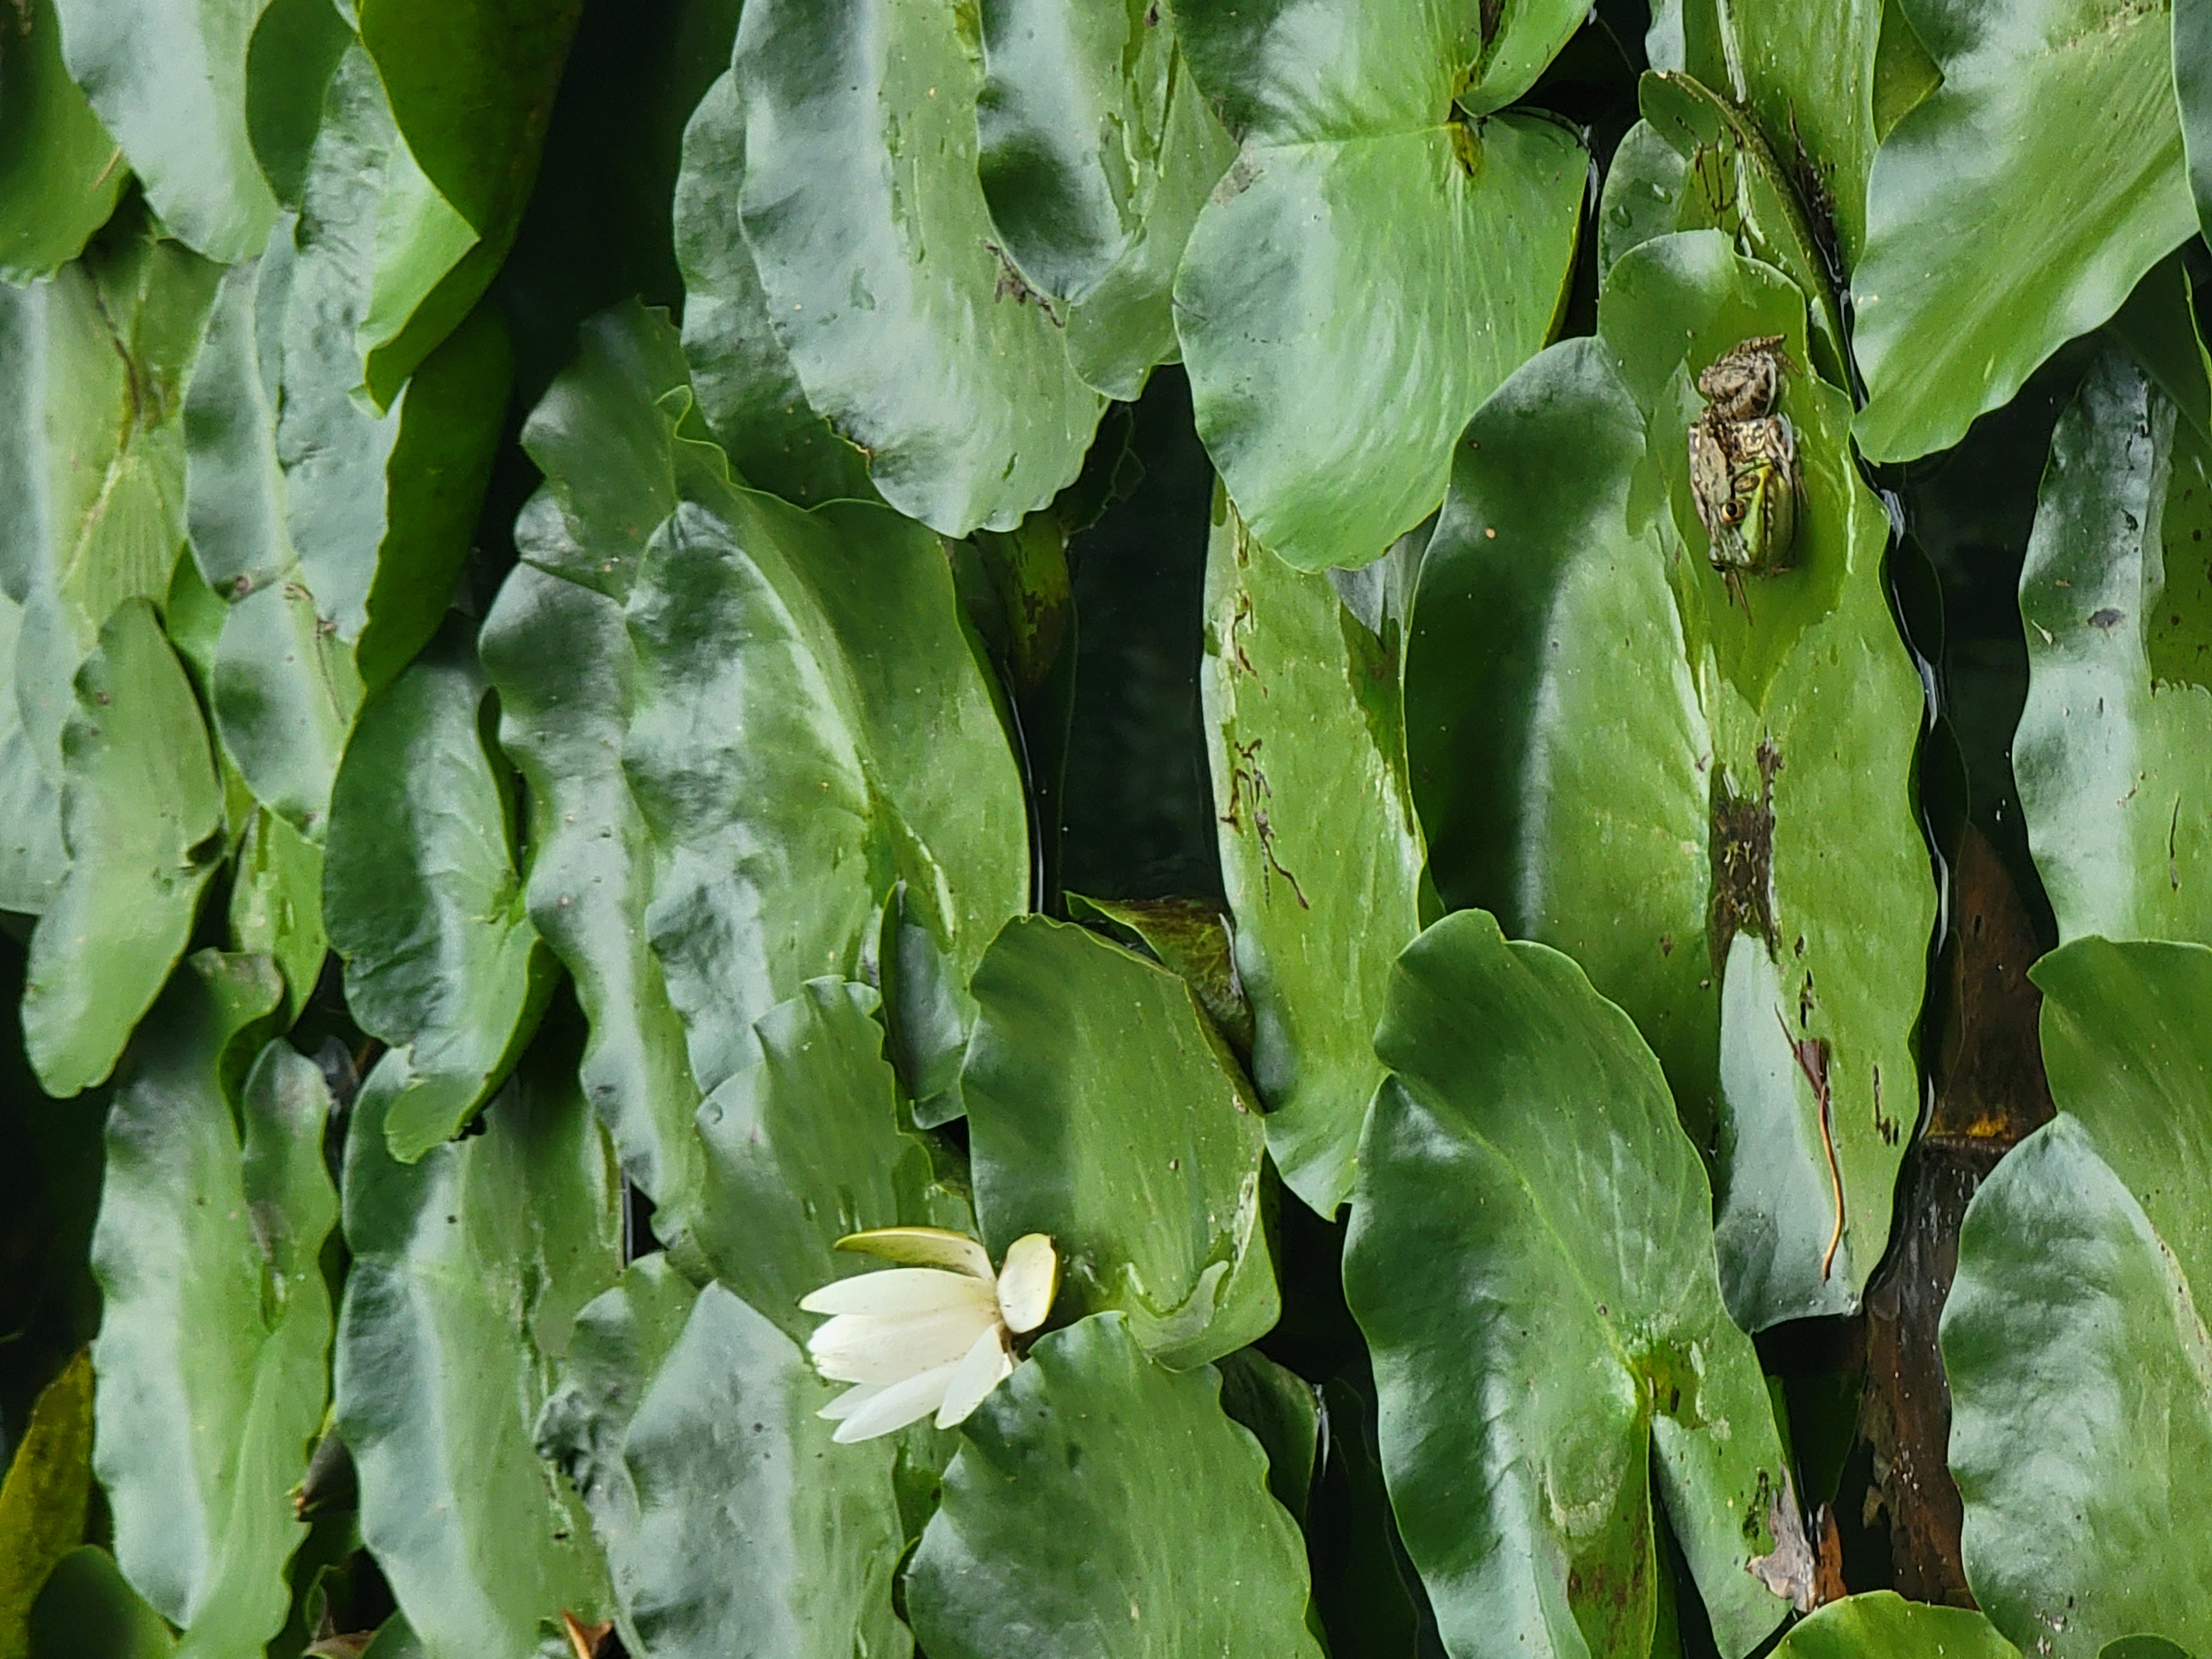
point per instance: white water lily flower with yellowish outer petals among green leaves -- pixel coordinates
(932, 1335)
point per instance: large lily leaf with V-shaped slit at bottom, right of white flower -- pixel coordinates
(1532, 1231)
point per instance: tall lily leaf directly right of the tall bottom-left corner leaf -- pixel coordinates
(446, 1355)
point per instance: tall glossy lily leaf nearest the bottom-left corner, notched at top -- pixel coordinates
(216, 1331)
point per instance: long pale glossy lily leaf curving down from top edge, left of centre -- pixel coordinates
(875, 249)
